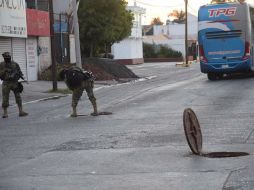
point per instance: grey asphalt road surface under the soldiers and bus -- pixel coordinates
(142, 144)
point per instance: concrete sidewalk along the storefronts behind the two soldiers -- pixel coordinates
(39, 90)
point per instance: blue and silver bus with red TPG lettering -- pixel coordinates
(226, 38)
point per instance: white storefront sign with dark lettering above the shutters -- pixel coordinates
(13, 18)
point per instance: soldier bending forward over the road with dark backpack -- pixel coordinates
(86, 84)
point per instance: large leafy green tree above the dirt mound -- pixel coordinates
(102, 23)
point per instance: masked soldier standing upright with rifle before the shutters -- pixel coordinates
(10, 73)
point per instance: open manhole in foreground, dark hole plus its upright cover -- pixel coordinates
(194, 137)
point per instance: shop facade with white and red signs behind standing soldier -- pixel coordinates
(25, 33)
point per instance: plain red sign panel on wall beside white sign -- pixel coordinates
(38, 23)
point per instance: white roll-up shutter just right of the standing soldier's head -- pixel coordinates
(19, 54)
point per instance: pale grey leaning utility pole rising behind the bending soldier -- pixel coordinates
(76, 33)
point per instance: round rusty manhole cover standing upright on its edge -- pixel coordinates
(192, 131)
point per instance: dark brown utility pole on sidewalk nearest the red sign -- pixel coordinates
(54, 71)
